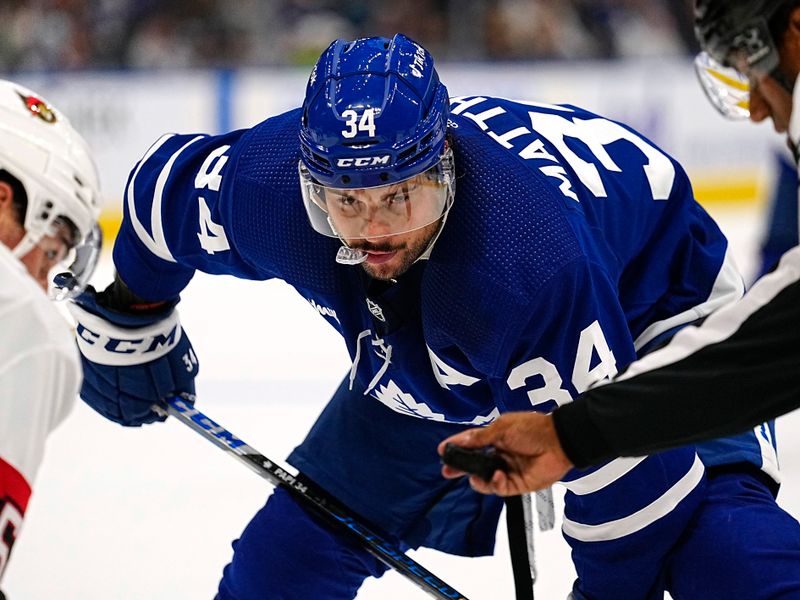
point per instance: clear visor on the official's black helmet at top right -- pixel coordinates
(727, 89)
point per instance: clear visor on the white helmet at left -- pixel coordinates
(72, 270)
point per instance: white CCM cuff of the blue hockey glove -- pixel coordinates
(104, 343)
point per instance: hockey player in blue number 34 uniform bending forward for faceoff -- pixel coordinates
(477, 255)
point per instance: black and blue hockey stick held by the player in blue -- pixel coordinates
(311, 497)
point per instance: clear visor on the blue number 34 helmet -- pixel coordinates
(369, 213)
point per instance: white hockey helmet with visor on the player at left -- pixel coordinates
(39, 147)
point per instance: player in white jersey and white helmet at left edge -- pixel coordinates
(48, 226)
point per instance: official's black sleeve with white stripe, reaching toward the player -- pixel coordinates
(739, 368)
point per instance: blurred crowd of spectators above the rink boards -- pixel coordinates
(113, 34)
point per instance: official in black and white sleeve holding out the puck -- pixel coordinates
(742, 365)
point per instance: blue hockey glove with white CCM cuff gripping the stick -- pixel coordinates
(132, 359)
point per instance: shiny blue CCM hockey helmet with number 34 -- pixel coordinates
(374, 113)
